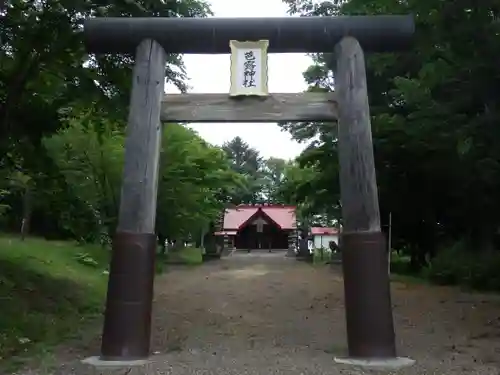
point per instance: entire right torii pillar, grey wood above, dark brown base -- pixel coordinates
(370, 328)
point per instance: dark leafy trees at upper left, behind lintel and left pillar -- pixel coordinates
(46, 77)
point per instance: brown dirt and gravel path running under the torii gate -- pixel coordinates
(267, 314)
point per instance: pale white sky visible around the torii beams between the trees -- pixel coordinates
(285, 76)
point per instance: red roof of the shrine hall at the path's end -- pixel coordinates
(282, 215)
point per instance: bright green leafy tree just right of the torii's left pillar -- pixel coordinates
(196, 180)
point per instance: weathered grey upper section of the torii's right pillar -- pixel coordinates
(358, 186)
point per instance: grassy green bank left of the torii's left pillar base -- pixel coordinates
(49, 291)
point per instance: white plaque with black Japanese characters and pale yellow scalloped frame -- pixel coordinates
(249, 68)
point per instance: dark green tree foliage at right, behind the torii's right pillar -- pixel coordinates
(435, 111)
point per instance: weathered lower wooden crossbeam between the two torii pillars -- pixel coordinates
(274, 108)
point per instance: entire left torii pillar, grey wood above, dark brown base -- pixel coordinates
(127, 323)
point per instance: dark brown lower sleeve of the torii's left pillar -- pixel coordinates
(127, 318)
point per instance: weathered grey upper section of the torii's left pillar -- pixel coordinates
(143, 142)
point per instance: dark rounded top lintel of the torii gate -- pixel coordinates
(385, 33)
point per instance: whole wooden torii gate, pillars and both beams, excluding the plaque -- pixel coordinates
(370, 329)
